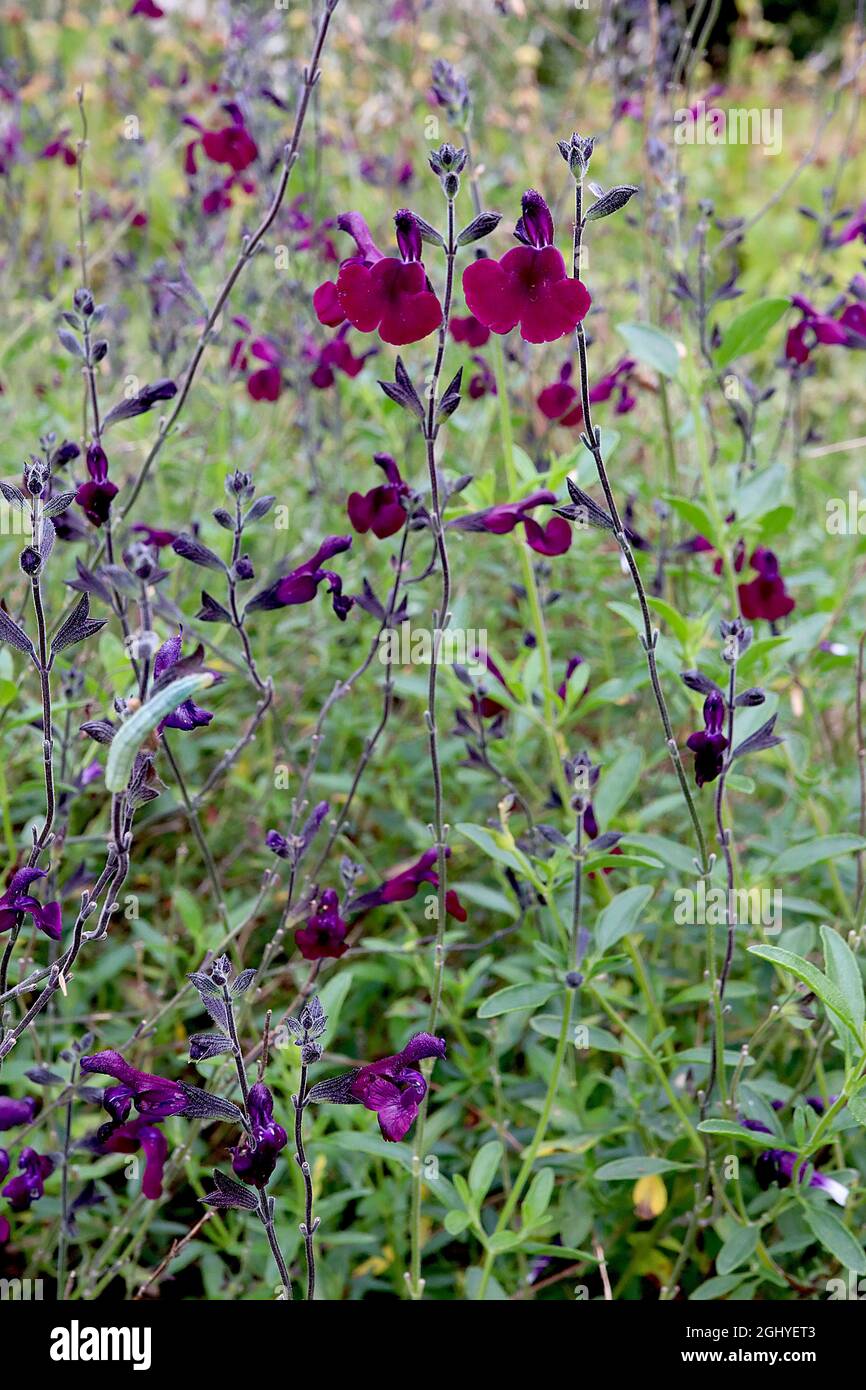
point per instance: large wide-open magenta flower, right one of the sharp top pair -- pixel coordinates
(529, 286)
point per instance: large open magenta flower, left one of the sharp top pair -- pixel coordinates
(390, 295)
